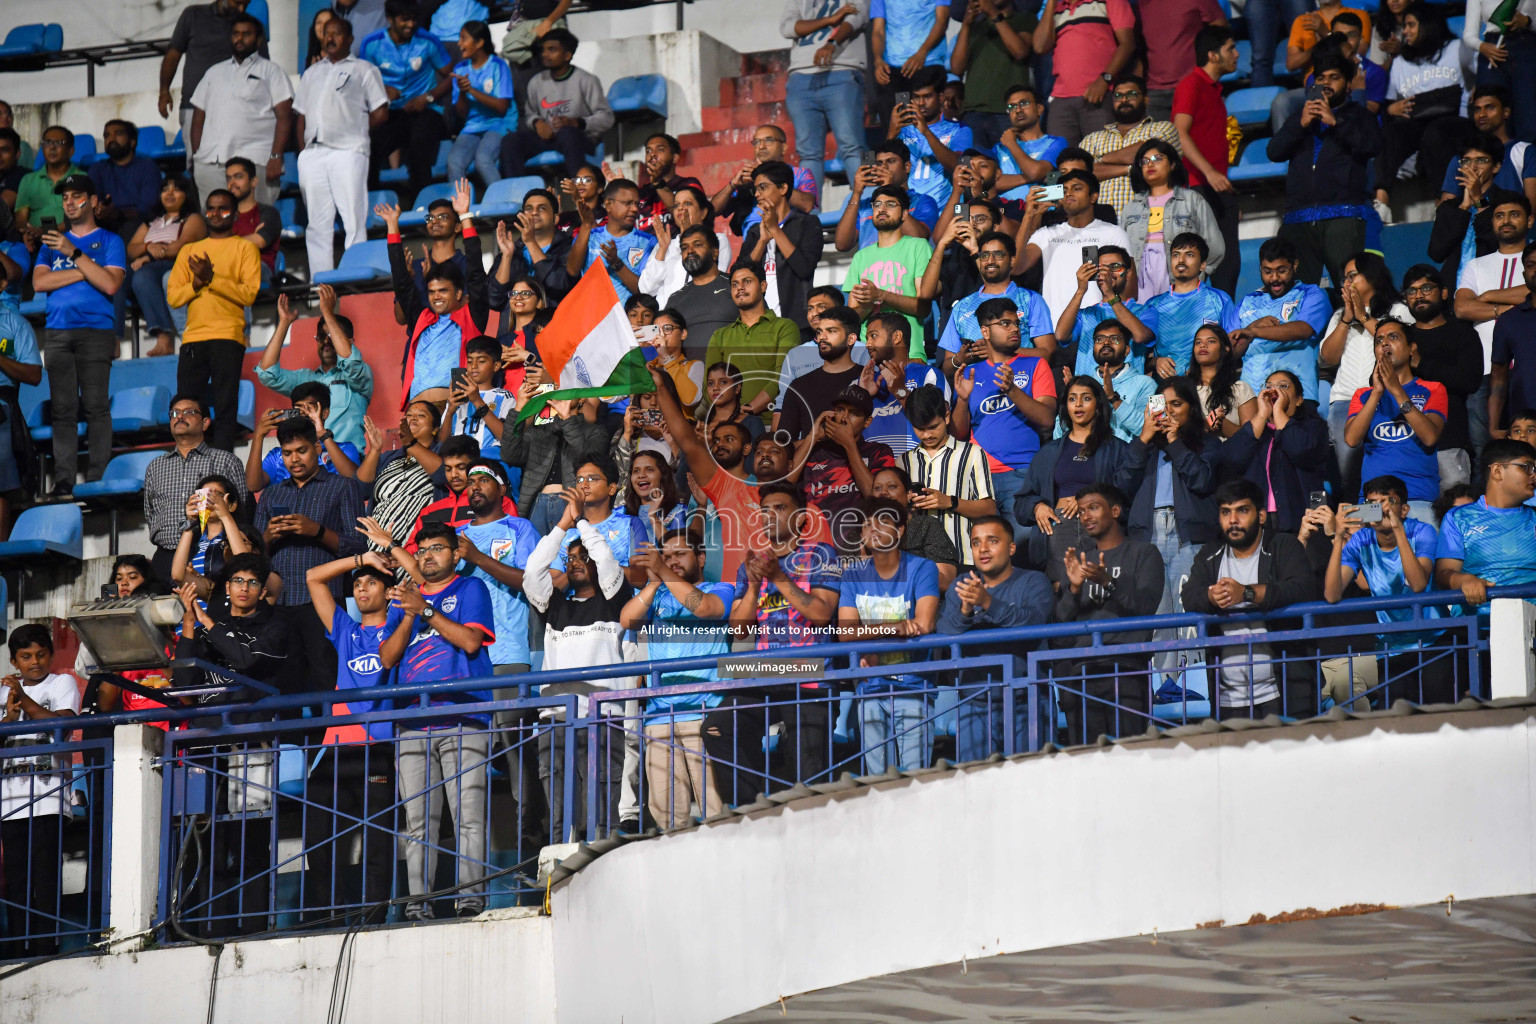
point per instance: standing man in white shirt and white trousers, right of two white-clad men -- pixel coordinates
(339, 101)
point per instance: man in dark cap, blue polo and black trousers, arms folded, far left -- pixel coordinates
(81, 269)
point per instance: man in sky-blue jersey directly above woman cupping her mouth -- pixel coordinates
(1282, 325)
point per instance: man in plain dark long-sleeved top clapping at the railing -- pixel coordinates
(1122, 581)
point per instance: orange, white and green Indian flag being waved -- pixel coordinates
(589, 348)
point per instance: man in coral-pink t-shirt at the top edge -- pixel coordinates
(1091, 42)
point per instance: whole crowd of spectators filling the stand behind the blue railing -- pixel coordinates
(1033, 398)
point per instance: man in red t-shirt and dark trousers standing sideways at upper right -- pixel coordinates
(1202, 121)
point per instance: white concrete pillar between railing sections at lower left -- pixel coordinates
(136, 830)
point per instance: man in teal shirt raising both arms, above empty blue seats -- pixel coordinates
(342, 368)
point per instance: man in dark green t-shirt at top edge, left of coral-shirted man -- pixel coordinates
(993, 53)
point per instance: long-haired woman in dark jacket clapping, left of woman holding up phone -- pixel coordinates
(1088, 452)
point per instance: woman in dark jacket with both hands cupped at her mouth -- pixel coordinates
(1283, 449)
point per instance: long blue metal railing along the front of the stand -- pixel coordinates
(274, 822)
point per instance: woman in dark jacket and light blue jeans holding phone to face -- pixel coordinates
(1173, 506)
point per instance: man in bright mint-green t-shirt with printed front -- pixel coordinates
(886, 276)
